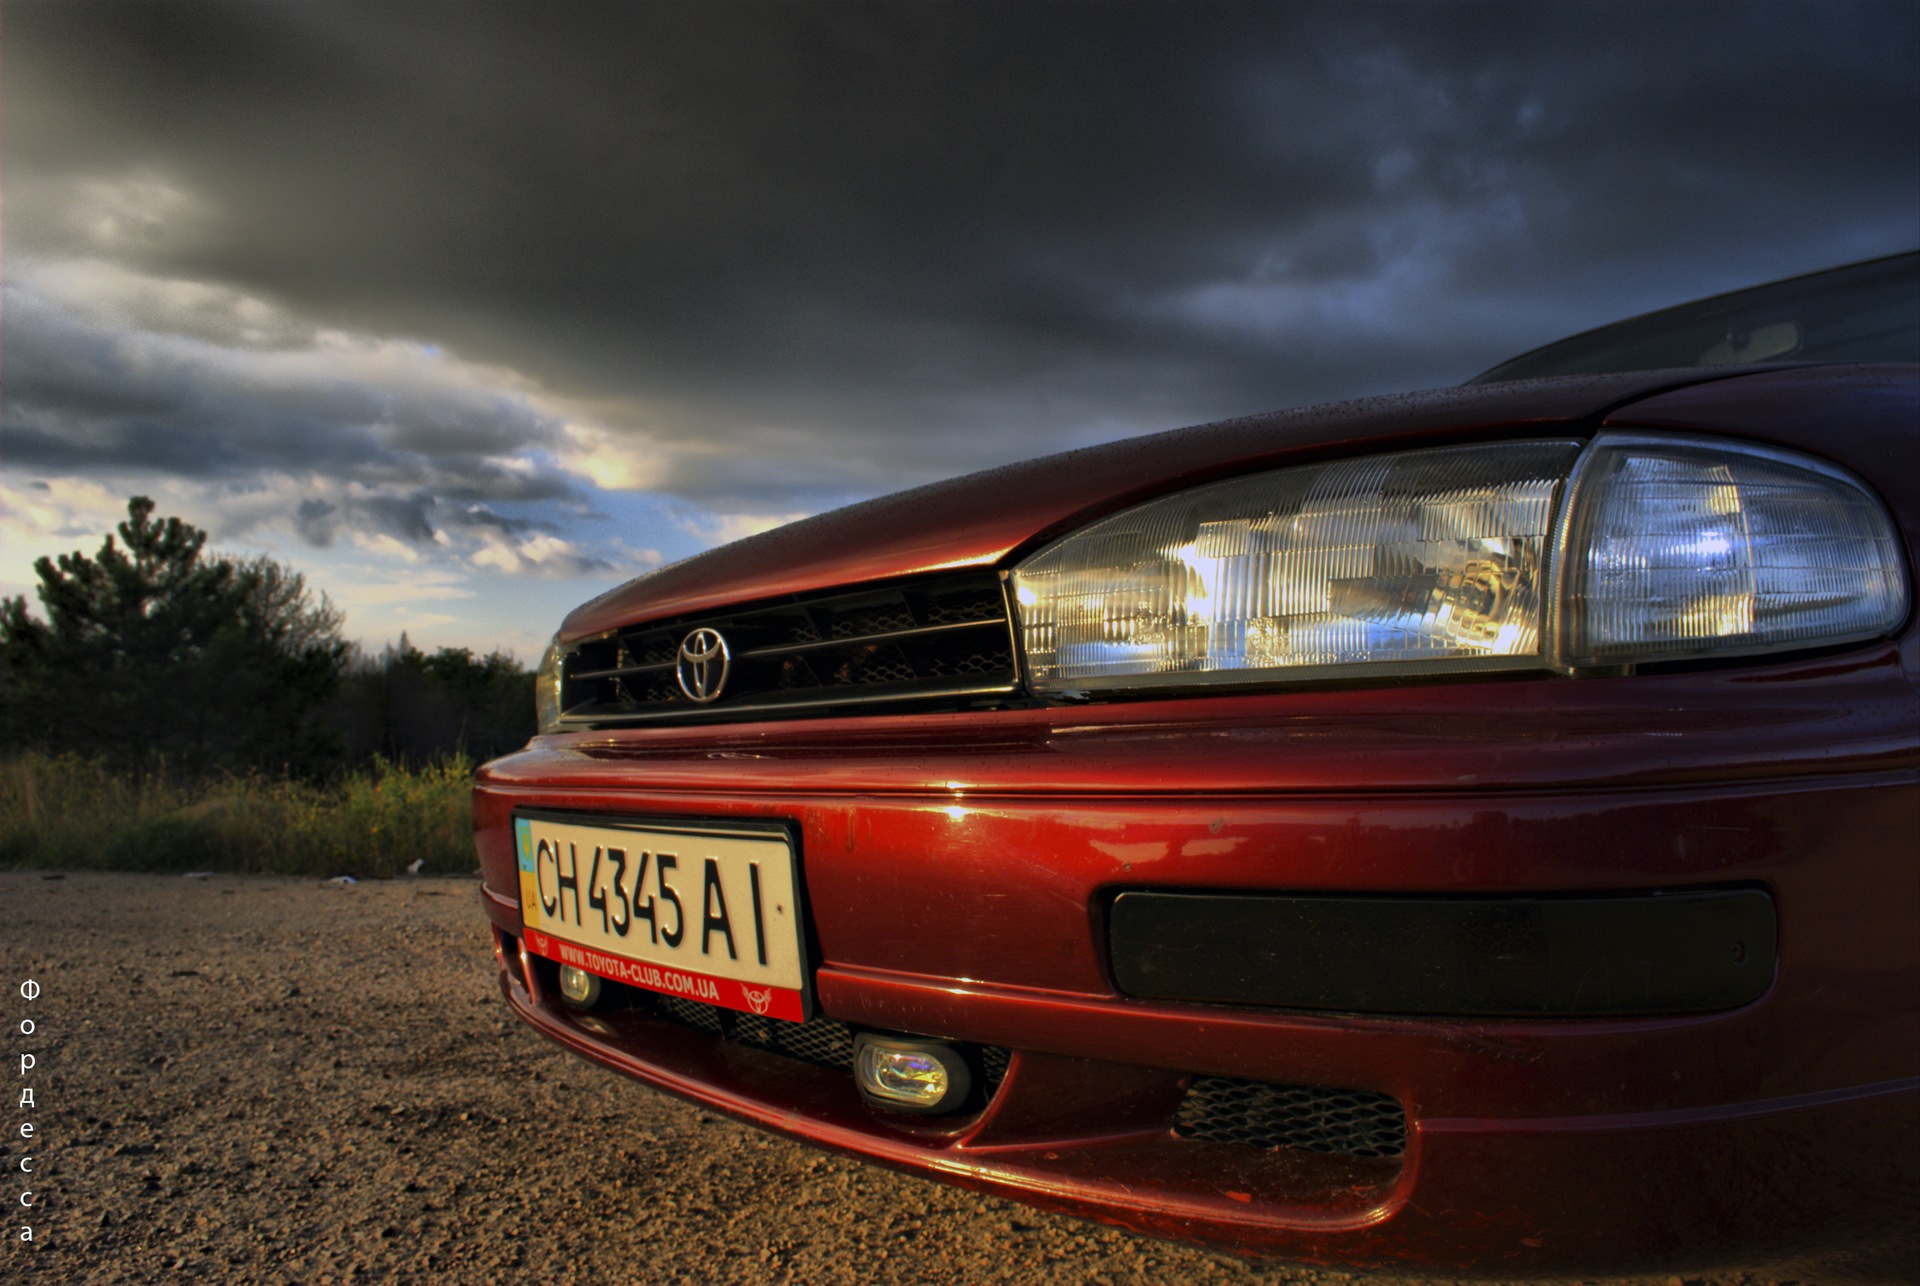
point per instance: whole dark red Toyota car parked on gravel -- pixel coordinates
(1466, 830)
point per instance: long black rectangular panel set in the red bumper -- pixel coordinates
(1451, 957)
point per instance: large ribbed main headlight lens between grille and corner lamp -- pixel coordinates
(1395, 560)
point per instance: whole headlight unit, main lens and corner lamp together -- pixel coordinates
(1466, 560)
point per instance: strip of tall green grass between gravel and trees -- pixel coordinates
(82, 815)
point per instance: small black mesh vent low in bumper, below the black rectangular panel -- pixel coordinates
(1293, 1116)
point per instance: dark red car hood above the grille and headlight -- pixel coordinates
(982, 519)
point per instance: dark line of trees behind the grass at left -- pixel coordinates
(162, 655)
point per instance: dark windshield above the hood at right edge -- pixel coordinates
(1865, 312)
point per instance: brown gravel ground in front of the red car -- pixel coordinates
(239, 1080)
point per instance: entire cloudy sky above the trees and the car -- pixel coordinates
(475, 310)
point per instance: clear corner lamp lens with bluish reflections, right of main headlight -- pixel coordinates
(1710, 550)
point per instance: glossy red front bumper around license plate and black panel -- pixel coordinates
(961, 872)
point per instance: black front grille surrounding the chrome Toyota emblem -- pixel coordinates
(938, 642)
